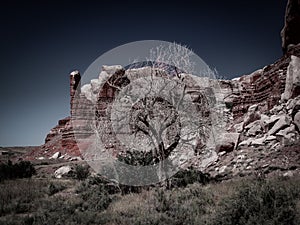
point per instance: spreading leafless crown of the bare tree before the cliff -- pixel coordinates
(162, 108)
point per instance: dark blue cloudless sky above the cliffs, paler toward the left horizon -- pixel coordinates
(43, 41)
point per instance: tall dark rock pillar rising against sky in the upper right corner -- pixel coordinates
(291, 32)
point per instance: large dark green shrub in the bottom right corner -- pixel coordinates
(260, 203)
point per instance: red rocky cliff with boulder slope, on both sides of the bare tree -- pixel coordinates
(262, 115)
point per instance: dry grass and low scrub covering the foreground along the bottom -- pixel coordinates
(28, 201)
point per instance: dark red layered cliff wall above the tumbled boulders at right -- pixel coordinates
(265, 86)
